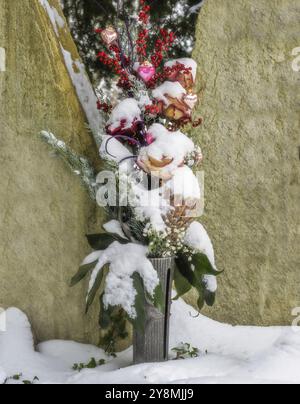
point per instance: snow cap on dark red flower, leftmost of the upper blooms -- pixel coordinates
(124, 115)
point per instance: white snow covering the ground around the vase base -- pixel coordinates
(230, 355)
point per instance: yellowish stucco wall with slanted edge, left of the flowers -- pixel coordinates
(44, 212)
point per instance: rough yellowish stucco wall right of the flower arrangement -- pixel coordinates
(250, 103)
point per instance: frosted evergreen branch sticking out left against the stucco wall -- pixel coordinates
(80, 166)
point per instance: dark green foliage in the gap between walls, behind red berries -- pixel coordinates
(84, 15)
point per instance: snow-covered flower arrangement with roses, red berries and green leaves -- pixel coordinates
(147, 152)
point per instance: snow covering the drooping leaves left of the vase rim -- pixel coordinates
(123, 261)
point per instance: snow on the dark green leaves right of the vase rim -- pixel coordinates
(197, 238)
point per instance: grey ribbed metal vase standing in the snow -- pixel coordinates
(153, 344)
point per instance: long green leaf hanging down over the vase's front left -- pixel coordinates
(140, 303)
